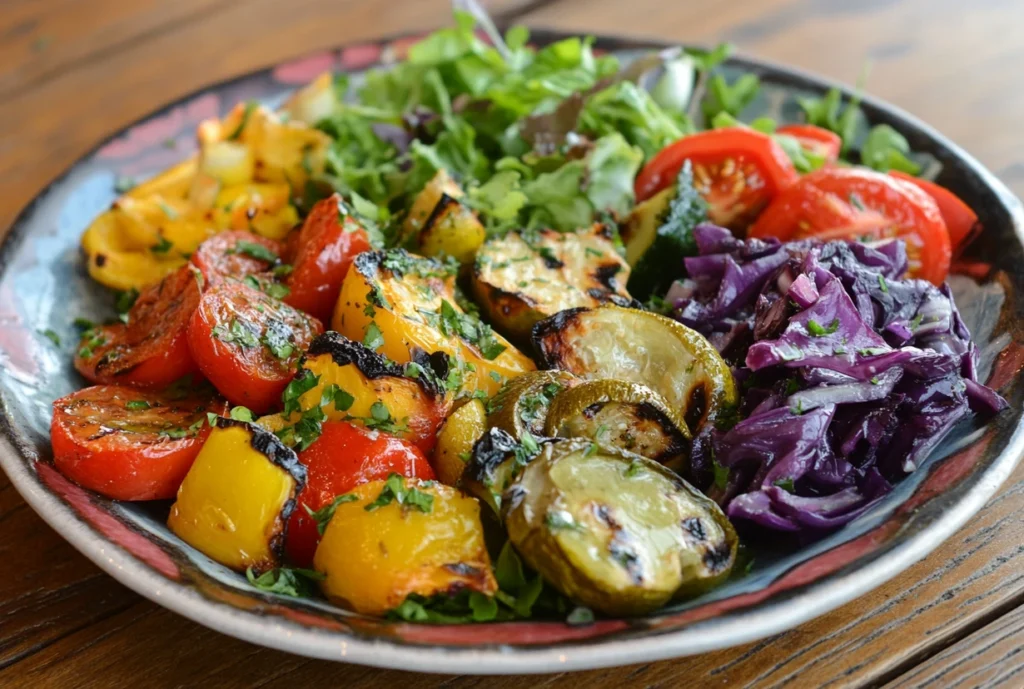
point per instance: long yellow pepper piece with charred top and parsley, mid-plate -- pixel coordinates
(411, 300)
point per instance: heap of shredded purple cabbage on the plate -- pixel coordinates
(850, 375)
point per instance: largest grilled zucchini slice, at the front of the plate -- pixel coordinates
(616, 532)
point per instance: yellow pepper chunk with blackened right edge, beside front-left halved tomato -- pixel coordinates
(235, 502)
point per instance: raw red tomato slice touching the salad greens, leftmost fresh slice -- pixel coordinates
(736, 169)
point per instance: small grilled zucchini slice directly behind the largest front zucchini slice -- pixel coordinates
(622, 415)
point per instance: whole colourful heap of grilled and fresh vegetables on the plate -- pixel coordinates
(502, 333)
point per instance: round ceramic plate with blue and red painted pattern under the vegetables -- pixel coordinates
(44, 286)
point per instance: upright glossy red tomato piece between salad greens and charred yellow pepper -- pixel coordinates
(330, 239)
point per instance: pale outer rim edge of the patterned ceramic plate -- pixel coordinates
(735, 628)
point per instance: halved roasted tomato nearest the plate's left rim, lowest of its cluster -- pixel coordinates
(126, 444)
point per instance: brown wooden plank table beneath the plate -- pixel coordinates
(74, 71)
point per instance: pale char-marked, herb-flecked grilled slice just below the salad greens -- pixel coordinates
(523, 278)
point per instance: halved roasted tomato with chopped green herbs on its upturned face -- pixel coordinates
(248, 344)
